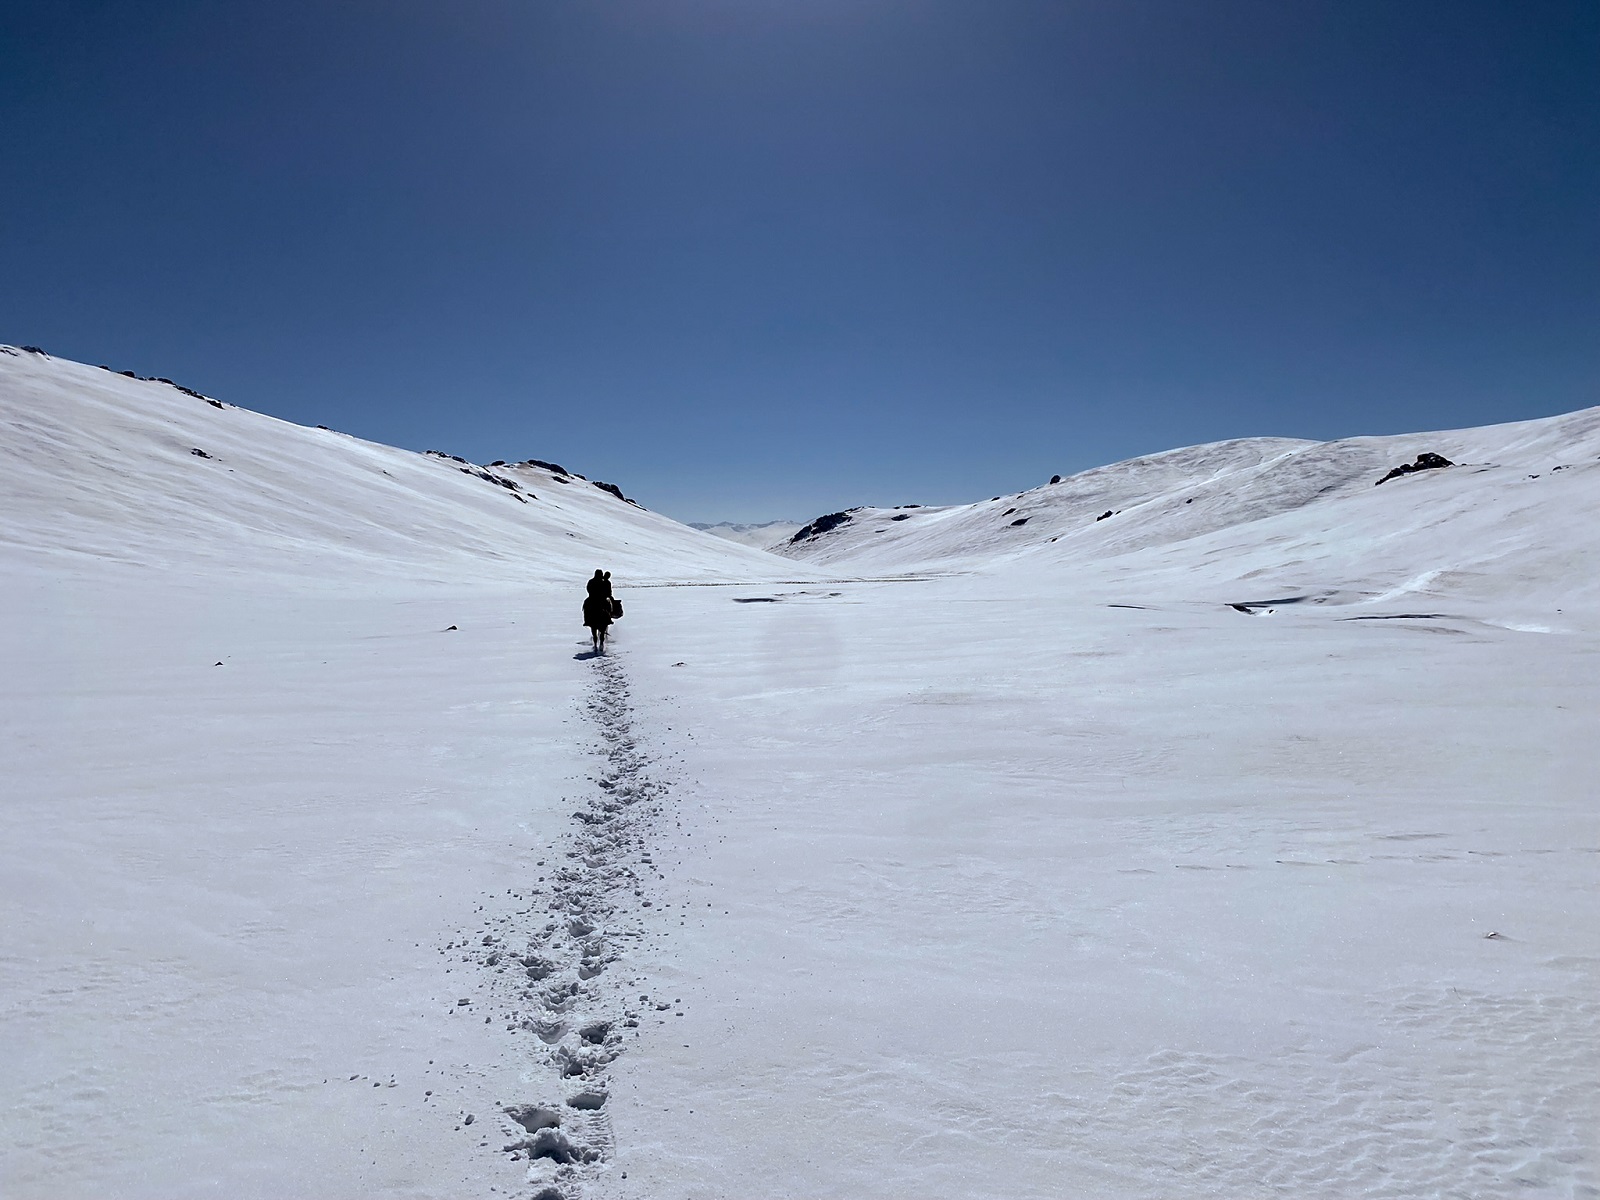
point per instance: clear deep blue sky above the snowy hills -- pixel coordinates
(769, 258)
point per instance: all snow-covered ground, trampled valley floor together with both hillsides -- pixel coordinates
(1242, 844)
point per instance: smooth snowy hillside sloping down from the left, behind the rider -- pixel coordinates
(108, 466)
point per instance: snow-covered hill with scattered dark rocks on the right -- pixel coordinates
(1519, 503)
